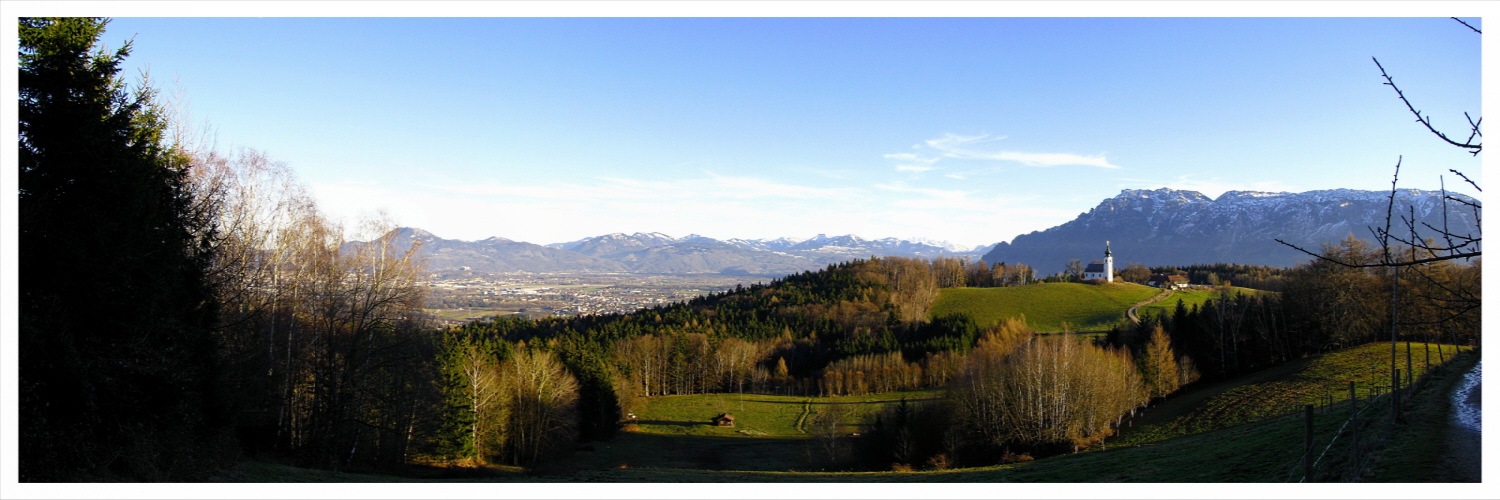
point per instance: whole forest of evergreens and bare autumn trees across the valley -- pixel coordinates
(184, 309)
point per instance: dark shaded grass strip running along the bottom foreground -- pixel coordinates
(1256, 453)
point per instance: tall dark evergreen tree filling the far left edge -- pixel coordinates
(116, 352)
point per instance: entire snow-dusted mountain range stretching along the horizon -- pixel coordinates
(1162, 227)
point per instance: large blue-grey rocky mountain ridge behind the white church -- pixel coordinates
(1169, 227)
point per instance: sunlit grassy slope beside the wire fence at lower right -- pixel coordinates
(1271, 393)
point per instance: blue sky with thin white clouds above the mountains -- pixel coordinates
(962, 130)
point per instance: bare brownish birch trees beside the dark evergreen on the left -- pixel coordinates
(320, 336)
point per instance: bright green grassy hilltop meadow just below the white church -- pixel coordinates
(1052, 307)
